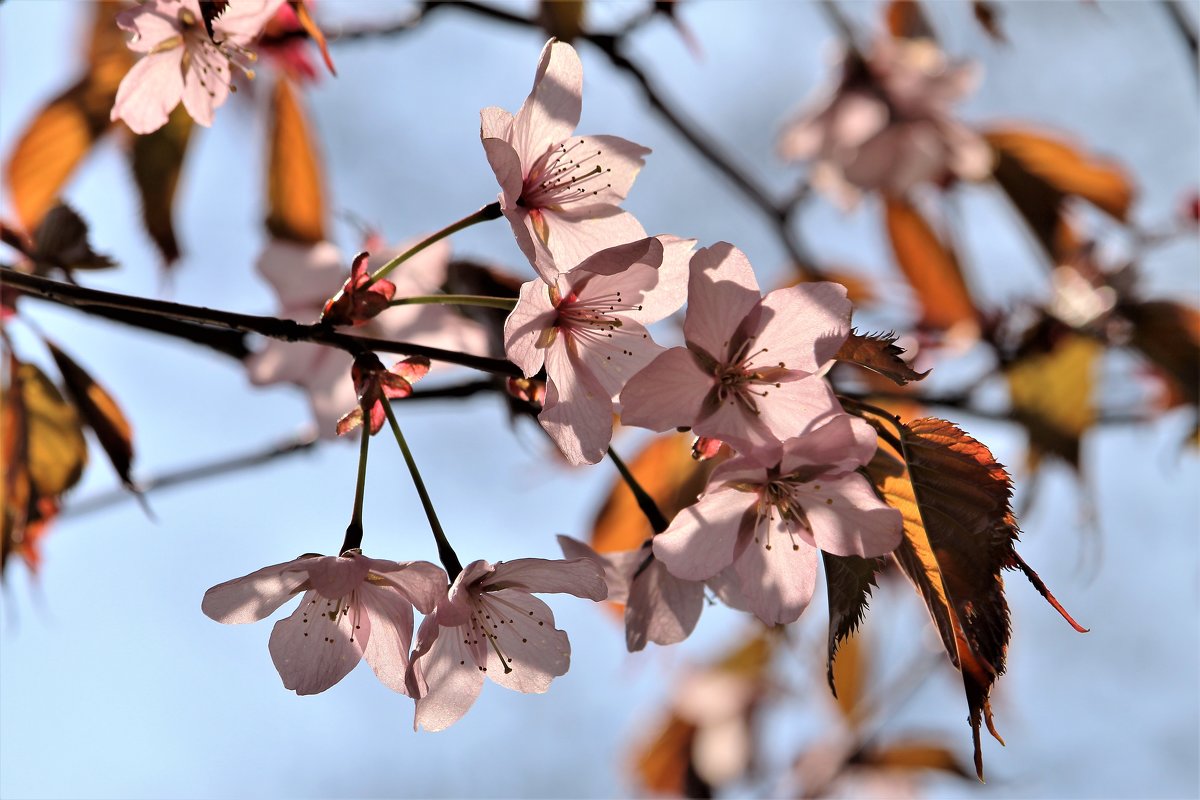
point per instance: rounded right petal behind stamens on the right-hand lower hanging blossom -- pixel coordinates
(532, 651)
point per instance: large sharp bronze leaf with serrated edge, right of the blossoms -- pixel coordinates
(959, 533)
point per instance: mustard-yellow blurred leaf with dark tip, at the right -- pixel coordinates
(1052, 396)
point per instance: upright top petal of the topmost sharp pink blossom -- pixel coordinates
(553, 110)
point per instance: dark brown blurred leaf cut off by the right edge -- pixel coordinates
(1169, 335)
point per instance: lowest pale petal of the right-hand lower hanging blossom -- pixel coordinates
(449, 676)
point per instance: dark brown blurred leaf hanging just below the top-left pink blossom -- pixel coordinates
(158, 160)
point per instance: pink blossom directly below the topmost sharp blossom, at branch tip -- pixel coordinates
(587, 327)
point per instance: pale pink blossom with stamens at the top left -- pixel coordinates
(182, 63)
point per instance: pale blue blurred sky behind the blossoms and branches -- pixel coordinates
(115, 685)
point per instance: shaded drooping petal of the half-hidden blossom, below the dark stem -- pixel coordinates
(662, 609)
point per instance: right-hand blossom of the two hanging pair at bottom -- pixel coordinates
(490, 624)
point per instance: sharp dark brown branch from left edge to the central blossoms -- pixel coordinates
(183, 321)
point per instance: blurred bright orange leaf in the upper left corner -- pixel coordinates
(65, 130)
